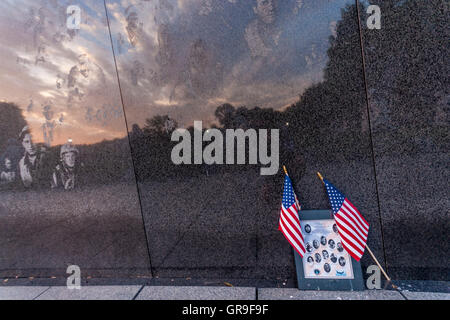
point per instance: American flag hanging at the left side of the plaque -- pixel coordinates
(289, 223)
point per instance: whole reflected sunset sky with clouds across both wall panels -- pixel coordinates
(189, 57)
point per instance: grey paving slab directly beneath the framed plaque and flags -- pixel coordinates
(295, 294)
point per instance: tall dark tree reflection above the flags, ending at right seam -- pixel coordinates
(332, 112)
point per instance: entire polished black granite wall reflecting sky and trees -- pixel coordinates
(367, 108)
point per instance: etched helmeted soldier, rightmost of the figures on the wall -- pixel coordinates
(67, 172)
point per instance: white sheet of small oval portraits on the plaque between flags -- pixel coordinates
(325, 256)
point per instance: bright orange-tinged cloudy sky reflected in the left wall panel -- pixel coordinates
(37, 54)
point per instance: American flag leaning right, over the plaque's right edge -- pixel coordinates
(353, 228)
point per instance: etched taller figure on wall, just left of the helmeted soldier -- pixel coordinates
(32, 168)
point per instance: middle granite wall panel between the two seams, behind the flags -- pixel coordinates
(221, 220)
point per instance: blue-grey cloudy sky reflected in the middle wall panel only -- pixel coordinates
(202, 53)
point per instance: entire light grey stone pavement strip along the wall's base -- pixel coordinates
(143, 292)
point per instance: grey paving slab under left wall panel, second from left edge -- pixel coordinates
(91, 293)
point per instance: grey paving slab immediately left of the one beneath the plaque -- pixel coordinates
(197, 293)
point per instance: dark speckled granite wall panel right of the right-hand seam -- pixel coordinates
(408, 87)
